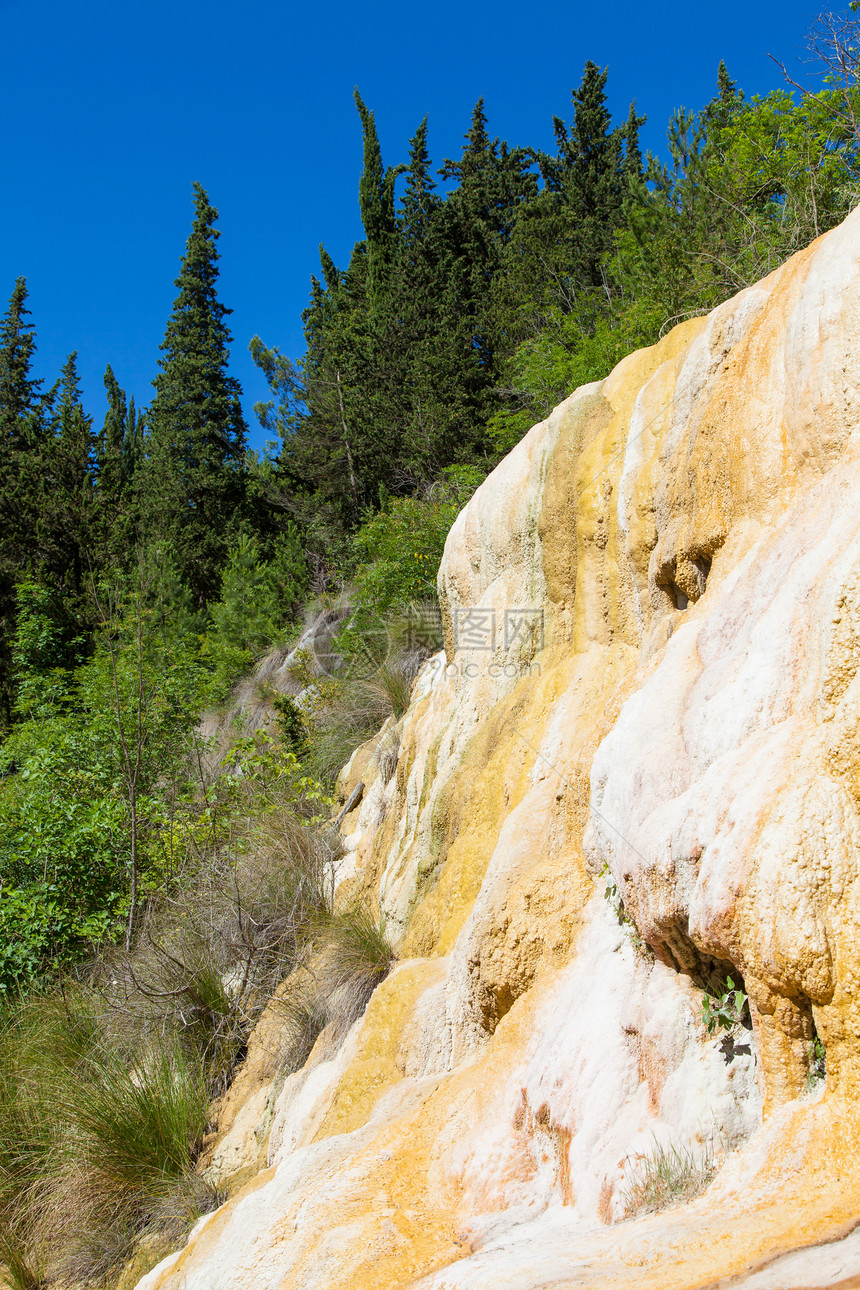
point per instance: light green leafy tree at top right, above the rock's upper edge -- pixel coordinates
(748, 185)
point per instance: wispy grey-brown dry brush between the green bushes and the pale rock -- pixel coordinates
(215, 949)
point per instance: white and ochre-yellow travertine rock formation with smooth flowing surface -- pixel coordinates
(635, 771)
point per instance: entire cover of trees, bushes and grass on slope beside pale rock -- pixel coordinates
(154, 896)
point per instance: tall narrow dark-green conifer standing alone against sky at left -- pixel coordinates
(194, 491)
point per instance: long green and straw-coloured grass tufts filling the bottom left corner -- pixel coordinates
(95, 1140)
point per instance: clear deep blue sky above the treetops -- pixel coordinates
(112, 110)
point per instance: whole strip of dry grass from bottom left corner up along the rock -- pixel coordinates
(106, 1087)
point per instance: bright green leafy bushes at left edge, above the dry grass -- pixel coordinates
(75, 830)
